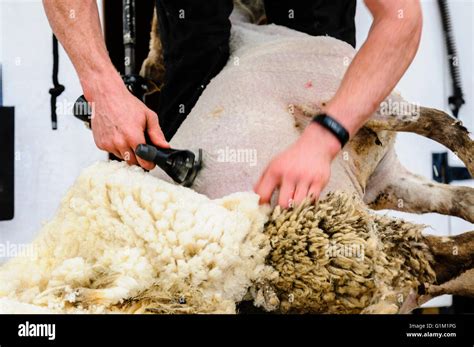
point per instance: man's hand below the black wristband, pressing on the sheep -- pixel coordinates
(302, 170)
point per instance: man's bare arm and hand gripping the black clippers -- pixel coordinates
(120, 120)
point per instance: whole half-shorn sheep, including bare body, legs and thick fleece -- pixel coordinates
(125, 241)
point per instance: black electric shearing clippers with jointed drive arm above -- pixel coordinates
(181, 165)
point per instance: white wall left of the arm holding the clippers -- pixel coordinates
(47, 161)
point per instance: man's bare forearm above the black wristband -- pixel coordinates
(380, 63)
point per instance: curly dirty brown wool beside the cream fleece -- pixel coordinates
(393, 263)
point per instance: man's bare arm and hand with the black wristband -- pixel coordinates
(304, 168)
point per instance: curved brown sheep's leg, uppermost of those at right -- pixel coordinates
(434, 124)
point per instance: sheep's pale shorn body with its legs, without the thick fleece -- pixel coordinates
(289, 75)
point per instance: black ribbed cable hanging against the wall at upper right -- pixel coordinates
(456, 100)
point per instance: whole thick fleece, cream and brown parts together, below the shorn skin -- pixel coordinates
(125, 241)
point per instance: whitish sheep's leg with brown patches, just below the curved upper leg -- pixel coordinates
(392, 186)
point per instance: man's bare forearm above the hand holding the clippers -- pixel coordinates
(76, 24)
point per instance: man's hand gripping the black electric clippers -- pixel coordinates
(120, 121)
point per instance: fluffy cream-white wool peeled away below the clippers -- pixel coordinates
(120, 223)
